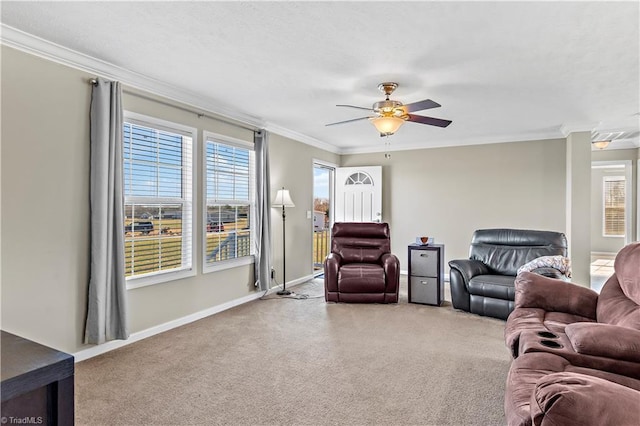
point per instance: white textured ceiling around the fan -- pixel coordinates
(502, 71)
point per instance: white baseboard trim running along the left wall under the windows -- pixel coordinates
(85, 354)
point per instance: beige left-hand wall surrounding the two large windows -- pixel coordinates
(45, 199)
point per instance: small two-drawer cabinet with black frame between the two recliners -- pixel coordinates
(426, 274)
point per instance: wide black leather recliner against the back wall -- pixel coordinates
(483, 284)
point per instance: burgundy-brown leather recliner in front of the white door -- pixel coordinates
(361, 267)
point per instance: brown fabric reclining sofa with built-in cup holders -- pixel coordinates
(573, 347)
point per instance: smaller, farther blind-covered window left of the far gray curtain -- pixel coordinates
(229, 183)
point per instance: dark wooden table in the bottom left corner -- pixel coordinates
(37, 383)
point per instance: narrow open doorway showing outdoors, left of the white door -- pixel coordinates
(323, 184)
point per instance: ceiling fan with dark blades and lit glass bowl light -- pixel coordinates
(389, 115)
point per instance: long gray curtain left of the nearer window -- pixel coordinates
(106, 305)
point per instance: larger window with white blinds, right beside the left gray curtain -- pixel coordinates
(158, 194)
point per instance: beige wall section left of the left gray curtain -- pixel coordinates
(45, 190)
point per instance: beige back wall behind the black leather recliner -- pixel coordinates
(448, 193)
